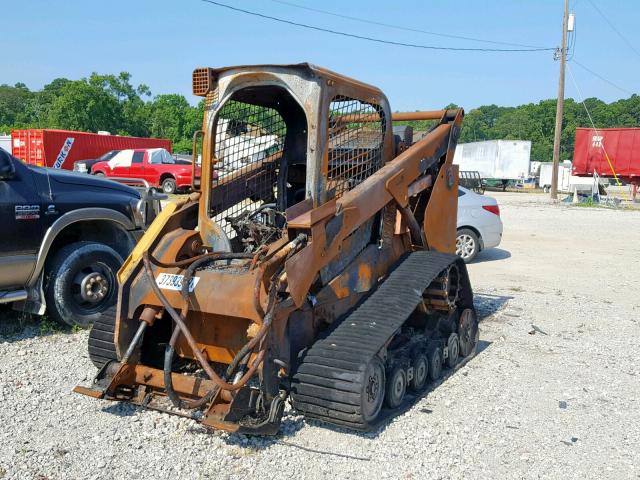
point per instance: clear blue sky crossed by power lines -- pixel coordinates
(161, 41)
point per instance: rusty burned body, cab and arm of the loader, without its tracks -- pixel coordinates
(304, 206)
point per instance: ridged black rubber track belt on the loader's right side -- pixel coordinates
(327, 382)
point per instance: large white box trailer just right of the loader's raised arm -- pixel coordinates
(495, 159)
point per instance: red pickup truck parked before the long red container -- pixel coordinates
(155, 165)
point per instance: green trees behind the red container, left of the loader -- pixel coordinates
(101, 102)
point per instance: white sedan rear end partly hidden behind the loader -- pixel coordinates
(479, 224)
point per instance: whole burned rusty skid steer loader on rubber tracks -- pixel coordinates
(314, 261)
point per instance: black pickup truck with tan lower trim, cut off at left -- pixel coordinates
(63, 237)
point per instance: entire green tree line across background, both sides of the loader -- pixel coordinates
(113, 103)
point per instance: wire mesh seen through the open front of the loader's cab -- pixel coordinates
(249, 142)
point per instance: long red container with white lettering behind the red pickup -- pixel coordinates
(60, 148)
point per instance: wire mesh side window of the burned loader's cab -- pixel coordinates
(355, 146)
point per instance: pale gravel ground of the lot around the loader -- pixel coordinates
(552, 394)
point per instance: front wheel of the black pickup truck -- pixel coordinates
(81, 282)
